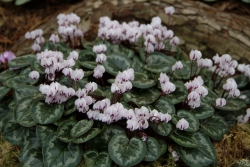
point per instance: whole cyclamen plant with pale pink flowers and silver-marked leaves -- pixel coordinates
(120, 99)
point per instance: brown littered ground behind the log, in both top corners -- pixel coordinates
(15, 21)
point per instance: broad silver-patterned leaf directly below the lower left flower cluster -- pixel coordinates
(43, 113)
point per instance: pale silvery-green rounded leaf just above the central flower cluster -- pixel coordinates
(116, 62)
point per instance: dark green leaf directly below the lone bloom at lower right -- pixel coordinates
(185, 139)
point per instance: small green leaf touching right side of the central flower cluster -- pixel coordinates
(141, 81)
